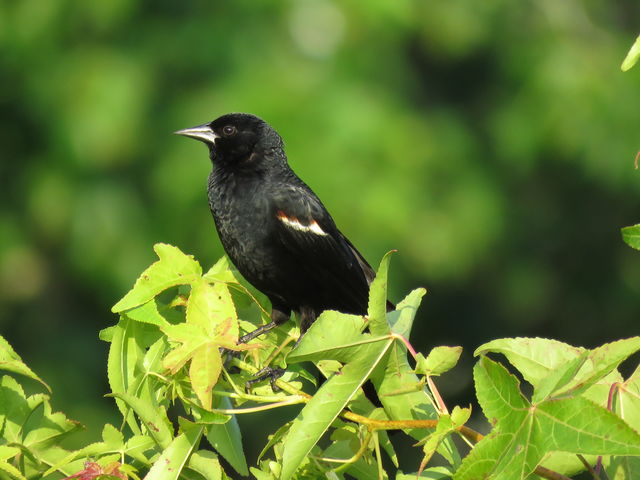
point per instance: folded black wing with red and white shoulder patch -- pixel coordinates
(309, 235)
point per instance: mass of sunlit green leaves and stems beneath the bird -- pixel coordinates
(171, 351)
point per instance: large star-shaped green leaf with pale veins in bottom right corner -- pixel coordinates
(523, 433)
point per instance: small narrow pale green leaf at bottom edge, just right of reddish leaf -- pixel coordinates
(175, 456)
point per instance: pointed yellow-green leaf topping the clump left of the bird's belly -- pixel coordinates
(173, 268)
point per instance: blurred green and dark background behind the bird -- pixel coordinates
(490, 143)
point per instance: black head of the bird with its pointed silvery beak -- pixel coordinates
(233, 138)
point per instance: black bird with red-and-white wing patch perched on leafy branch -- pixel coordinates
(274, 228)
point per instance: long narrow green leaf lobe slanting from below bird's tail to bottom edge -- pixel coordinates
(326, 404)
